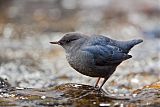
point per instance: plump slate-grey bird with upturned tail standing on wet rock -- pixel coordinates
(95, 55)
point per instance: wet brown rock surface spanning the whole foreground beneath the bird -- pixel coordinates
(71, 94)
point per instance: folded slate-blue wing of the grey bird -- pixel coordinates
(106, 55)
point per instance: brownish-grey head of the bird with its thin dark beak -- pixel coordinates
(69, 40)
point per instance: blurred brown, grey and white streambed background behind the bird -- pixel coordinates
(27, 26)
